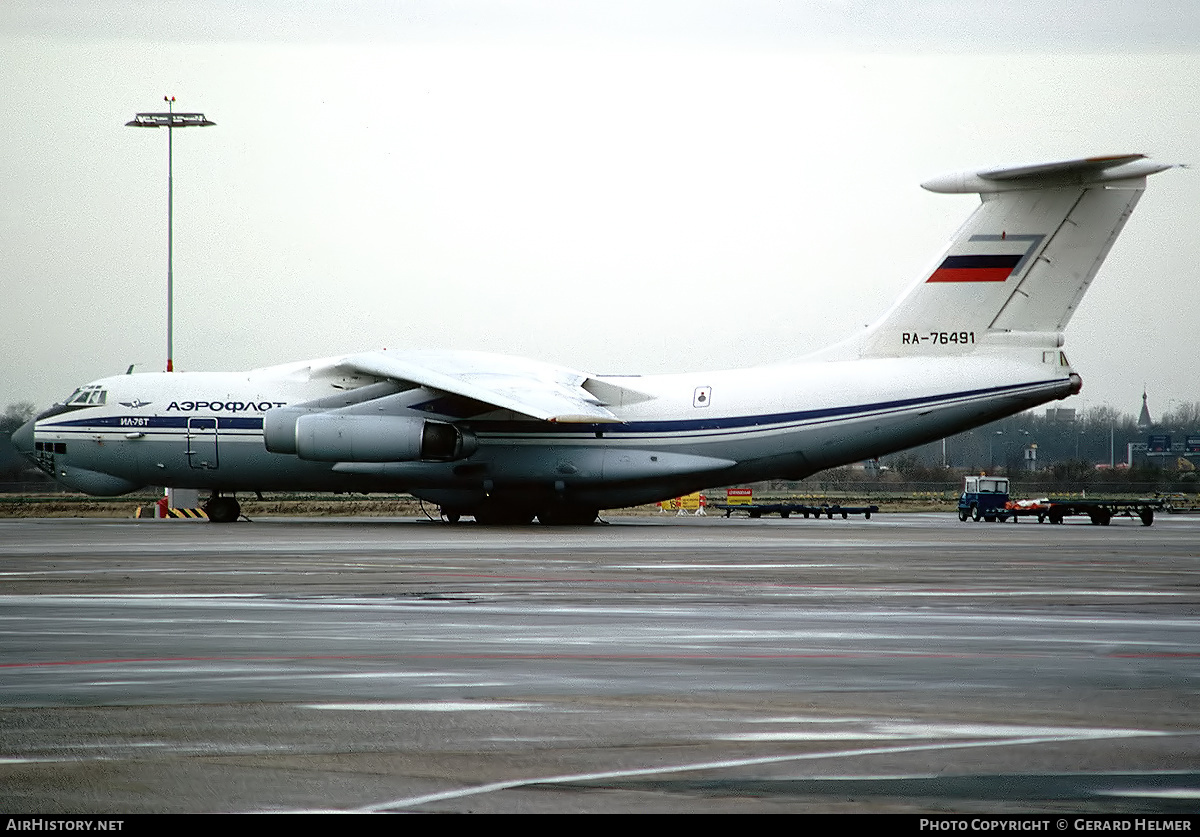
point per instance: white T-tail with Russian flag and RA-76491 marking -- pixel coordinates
(1017, 270)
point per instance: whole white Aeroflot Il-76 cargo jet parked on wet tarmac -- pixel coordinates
(976, 338)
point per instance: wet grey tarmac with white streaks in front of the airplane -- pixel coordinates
(907, 664)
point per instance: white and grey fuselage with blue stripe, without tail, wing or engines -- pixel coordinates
(686, 432)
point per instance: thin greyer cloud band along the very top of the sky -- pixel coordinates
(952, 26)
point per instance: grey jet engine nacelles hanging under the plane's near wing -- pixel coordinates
(332, 437)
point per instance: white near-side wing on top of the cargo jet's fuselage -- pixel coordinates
(530, 388)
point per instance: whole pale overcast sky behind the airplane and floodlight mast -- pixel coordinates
(643, 186)
